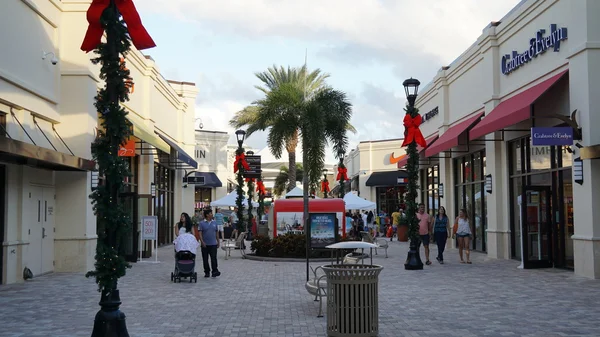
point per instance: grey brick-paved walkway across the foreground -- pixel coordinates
(252, 298)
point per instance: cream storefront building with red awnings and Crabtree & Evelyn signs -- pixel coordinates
(510, 131)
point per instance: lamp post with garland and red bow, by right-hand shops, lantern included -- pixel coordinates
(412, 138)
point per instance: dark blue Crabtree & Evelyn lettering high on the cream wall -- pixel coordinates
(538, 45)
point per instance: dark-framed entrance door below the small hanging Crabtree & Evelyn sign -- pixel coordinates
(536, 235)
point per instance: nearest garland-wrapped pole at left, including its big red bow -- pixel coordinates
(121, 22)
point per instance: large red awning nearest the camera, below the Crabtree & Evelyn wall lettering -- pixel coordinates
(514, 110)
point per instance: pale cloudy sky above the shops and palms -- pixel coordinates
(367, 46)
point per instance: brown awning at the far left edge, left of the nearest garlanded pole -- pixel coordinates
(21, 153)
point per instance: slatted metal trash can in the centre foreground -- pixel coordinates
(352, 300)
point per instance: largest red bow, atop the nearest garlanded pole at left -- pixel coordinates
(139, 36)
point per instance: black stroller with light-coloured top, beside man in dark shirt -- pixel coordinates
(186, 245)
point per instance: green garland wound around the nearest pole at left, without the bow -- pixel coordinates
(113, 221)
